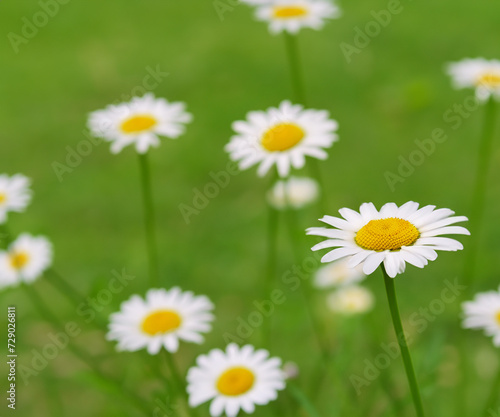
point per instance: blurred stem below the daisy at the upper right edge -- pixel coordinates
(479, 193)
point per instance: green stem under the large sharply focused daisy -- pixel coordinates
(401, 338)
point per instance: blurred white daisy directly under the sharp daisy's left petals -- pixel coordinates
(338, 273)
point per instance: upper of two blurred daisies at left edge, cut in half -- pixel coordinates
(15, 194)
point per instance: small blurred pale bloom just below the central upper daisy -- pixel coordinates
(294, 191)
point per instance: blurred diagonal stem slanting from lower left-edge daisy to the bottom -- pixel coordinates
(128, 395)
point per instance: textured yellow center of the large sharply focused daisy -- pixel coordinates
(387, 234)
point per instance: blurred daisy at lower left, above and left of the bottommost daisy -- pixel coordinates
(161, 320)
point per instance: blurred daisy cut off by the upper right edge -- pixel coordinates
(480, 73)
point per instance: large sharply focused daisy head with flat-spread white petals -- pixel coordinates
(392, 236)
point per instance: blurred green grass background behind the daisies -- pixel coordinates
(393, 92)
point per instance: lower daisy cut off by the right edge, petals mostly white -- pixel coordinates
(484, 313)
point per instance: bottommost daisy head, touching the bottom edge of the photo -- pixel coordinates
(237, 379)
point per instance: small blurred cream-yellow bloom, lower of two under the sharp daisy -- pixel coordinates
(354, 299)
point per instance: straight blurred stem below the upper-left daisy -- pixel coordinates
(149, 219)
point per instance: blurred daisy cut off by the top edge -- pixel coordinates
(293, 15)
